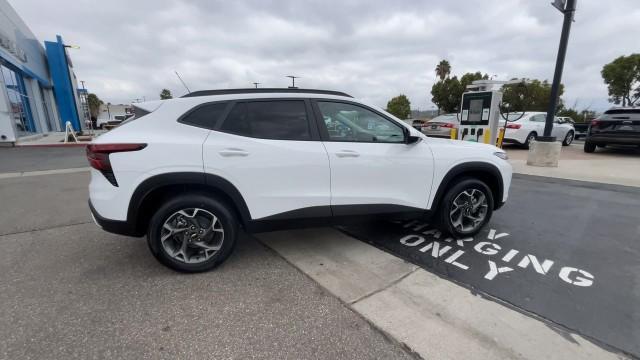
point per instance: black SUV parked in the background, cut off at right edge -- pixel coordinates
(617, 126)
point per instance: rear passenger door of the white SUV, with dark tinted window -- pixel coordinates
(270, 152)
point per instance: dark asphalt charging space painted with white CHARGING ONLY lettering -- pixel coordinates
(565, 251)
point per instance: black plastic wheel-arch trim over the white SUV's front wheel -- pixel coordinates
(472, 167)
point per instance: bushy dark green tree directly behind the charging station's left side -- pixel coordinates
(447, 93)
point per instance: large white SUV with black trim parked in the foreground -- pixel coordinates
(189, 172)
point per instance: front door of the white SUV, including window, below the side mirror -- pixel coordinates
(370, 162)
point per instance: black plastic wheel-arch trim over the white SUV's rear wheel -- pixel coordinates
(200, 180)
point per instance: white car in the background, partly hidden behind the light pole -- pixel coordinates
(523, 130)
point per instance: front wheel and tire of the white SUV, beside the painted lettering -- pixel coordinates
(454, 197)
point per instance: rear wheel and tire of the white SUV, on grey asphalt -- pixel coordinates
(209, 242)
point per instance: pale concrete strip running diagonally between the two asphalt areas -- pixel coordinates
(433, 317)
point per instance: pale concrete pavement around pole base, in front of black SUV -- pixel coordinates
(619, 165)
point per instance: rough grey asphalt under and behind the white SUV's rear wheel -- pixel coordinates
(70, 290)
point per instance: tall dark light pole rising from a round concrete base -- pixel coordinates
(567, 7)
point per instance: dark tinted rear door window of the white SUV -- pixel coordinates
(278, 120)
